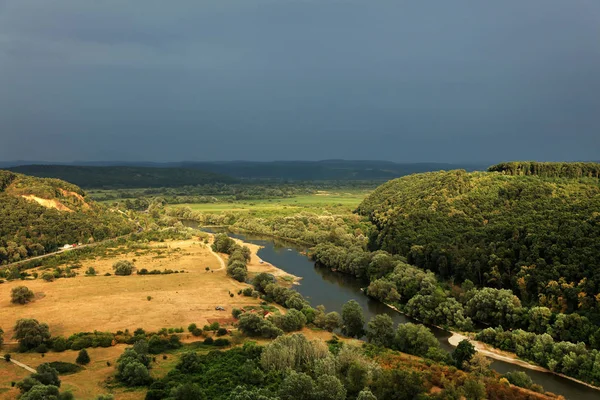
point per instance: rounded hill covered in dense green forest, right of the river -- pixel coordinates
(536, 235)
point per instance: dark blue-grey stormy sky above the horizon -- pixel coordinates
(422, 80)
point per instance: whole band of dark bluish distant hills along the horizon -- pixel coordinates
(147, 174)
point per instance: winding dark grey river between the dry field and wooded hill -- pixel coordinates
(333, 290)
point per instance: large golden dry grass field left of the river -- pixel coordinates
(111, 303)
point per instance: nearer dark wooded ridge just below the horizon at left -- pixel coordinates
(124, 177)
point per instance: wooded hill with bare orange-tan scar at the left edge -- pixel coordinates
(39, 215)
